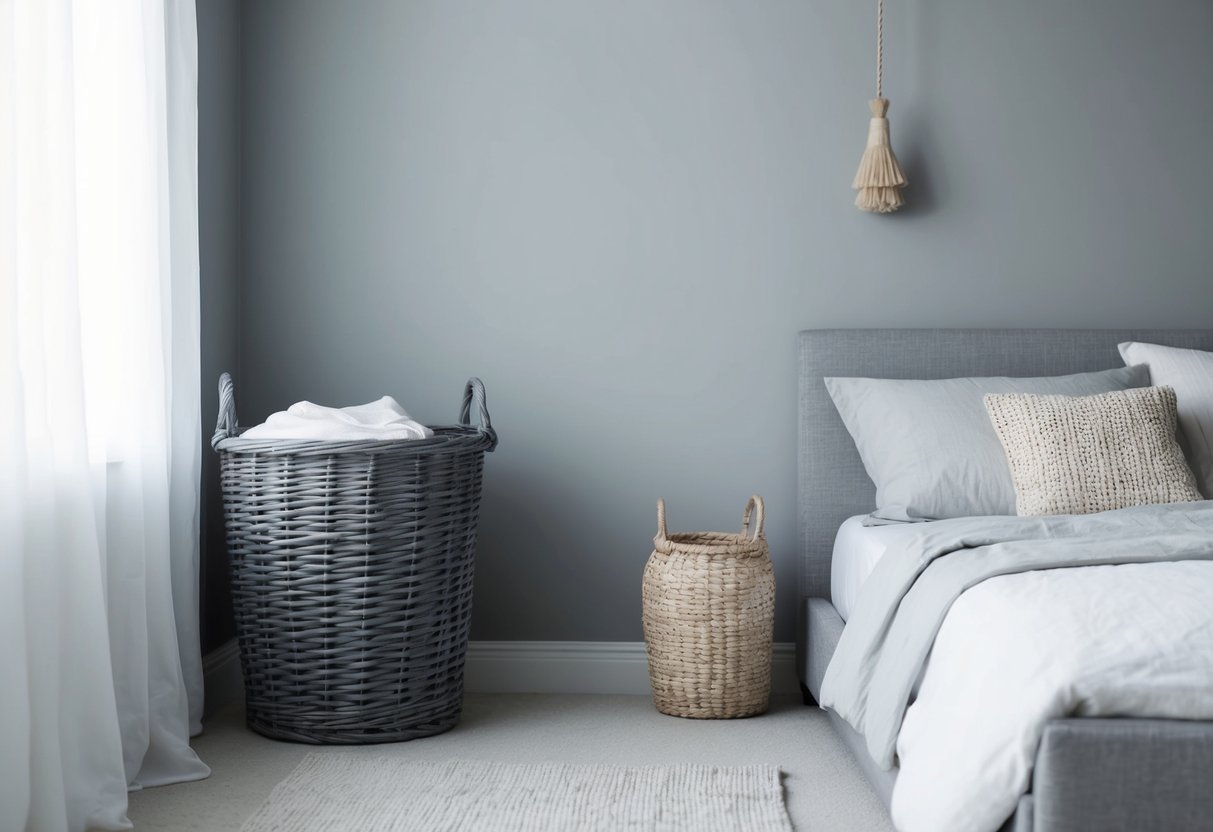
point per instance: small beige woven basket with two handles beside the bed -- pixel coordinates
(709, 619)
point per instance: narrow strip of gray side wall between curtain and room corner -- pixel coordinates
(219, 206)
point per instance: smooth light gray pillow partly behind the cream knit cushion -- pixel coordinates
(930, 447)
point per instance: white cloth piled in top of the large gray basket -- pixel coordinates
(384, 419)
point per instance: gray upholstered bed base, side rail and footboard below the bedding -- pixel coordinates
(1106, 776)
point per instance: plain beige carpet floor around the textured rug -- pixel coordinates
(825, 790)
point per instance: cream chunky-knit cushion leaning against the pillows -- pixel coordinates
(1084, 454)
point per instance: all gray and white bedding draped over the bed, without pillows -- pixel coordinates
(1024, 620)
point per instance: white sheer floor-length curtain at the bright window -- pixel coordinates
(100, 435)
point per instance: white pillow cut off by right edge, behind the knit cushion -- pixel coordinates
(1191, 373)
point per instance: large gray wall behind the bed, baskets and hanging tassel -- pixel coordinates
(620, 214)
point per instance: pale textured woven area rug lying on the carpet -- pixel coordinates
(333, 791)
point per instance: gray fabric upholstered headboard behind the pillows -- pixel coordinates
(833, 482)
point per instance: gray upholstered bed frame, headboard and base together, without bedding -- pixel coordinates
(1090, 773)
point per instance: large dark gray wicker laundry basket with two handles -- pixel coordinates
(352, 577)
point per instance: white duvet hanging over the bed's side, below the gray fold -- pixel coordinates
(1018, 651)
